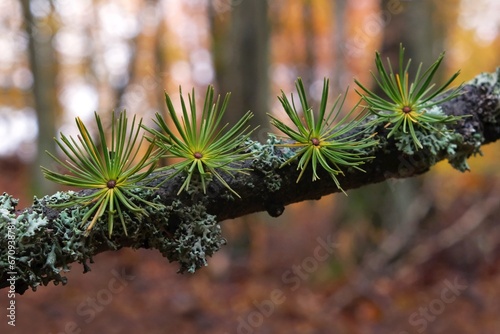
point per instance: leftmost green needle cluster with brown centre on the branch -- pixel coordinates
(109, 168)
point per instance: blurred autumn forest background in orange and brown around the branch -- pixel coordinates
(410, 256)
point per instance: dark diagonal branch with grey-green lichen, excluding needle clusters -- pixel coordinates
(40, 242)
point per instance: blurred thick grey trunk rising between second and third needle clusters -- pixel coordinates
(241, 57)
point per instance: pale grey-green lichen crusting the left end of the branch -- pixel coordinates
(46, 241)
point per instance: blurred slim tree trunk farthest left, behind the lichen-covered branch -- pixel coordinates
(44, 69)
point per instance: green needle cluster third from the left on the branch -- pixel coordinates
(327, 141)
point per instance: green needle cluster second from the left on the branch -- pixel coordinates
(206, 148)
